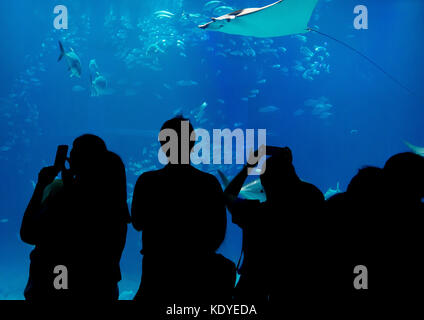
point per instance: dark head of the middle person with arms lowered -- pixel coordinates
(177, 138)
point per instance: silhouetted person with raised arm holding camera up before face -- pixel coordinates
(279, 234)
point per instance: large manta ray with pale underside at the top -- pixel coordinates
(278, 19)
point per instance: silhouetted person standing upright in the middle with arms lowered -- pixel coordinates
(181, 213)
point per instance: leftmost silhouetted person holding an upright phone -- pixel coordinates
(79, 222)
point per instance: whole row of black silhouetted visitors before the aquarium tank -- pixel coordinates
(297, 247)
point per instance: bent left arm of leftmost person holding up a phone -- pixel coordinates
(31, 221)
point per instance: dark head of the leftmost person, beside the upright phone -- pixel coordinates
(86, 156)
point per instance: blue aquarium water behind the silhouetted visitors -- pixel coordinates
(41, 106)
